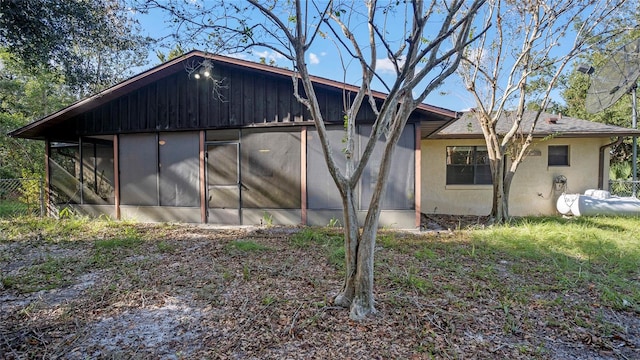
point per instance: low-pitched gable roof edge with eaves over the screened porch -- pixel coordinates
(38, 129)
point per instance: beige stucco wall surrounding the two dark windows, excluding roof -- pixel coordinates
(532, 190)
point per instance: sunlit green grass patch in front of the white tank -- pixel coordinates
(601, 253)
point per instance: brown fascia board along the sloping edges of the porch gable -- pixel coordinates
(174, 66)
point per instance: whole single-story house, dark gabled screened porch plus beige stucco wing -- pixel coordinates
(212, 139)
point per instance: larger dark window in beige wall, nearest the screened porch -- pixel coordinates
(468, 165)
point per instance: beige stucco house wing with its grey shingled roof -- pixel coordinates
(568, 155)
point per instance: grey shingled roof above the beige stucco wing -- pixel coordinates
(467, 127)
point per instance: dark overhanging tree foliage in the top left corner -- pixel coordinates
(90, 43)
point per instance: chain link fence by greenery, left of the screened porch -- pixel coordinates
(19, 197)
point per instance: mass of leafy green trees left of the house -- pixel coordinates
(51, 54)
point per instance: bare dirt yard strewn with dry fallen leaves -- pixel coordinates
(193, 292)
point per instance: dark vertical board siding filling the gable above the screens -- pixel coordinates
(238, 97)
